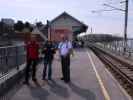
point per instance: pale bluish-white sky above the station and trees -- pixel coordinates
(110, 22)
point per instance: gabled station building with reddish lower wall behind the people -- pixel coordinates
(67, 25)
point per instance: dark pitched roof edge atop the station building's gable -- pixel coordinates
(66, 14)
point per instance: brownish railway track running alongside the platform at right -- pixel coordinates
(122, 71)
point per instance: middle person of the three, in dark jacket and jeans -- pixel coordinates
(49, 52)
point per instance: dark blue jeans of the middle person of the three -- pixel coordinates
(47, 63)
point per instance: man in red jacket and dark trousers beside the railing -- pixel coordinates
(32, 49)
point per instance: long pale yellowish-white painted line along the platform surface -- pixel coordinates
(105, 93)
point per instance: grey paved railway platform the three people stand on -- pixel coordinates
(90, 80)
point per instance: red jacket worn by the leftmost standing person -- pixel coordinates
(32, 50)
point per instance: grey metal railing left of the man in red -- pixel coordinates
(11, 57)
